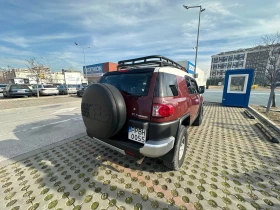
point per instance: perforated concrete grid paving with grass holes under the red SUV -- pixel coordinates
(229, 165)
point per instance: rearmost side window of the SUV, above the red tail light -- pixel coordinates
(166, 85)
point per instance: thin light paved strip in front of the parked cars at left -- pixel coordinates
(27, 102)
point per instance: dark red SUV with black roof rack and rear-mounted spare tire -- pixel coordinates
(144, 108)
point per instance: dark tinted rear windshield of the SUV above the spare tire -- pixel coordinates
(136, 84)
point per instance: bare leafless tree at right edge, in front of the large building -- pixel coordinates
(272, 43)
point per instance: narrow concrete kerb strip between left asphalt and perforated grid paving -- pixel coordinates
(39, 150)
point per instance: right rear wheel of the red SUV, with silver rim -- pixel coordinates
(179, 152)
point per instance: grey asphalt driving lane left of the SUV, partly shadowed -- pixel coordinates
(28, 128)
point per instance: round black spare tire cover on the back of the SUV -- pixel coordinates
(103, 110)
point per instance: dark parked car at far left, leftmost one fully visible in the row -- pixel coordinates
(17, 90)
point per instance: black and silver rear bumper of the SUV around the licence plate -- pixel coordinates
(160, 139)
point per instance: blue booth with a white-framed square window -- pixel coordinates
(237, 87)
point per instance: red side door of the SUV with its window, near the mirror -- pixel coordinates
(194, 96)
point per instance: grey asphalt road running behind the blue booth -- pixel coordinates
(256, 97)
